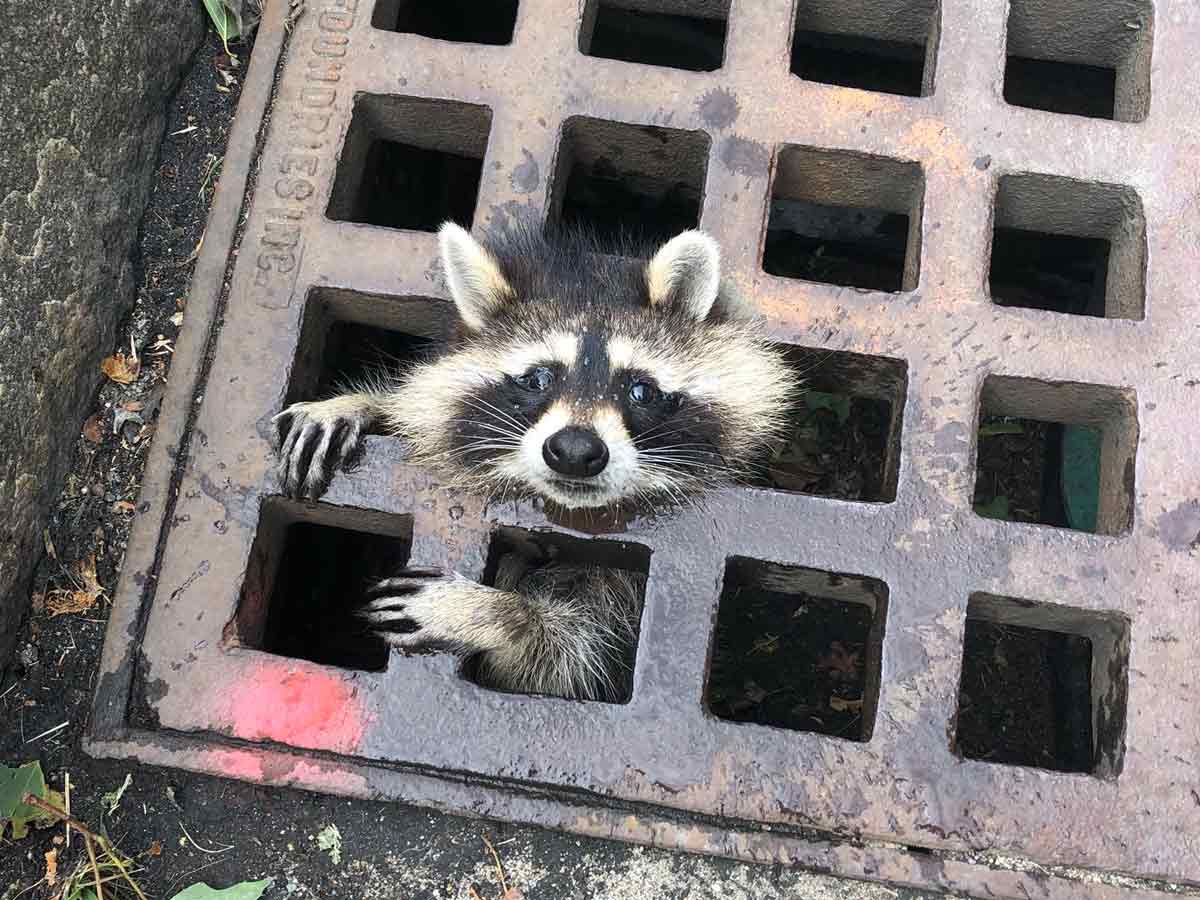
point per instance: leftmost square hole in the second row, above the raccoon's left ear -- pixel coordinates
(411, 164)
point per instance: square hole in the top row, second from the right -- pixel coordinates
(889, 47)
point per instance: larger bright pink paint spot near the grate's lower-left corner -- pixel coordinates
(305, 709)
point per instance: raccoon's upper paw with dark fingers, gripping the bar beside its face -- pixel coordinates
(314, 440)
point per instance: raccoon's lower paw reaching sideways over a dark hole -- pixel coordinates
(422, 609)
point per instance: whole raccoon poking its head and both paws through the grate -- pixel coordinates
(581, 375)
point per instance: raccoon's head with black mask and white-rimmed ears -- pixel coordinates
(591, 379)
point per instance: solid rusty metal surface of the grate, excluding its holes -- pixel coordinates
(183, 687)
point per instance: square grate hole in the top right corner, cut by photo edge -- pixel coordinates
(1081, 57)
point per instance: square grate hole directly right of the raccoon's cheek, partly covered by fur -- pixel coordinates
(844, 434)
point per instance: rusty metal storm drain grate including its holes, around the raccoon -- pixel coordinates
(959, 611)
